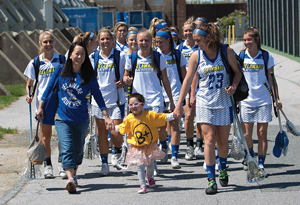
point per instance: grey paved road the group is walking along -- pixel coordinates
(184, 186)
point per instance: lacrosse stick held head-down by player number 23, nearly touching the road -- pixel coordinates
(254, 173)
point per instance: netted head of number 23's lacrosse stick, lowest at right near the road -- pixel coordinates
(254, 173)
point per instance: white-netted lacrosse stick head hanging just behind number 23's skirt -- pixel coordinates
(237, 151)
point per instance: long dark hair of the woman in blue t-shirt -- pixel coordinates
(87, 71)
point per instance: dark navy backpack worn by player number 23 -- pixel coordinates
(242, 89)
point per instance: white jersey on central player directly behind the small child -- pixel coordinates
(146, 81)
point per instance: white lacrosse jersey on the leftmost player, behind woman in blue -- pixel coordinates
(45, 72)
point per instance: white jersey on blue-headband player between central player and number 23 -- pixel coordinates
(173, 76)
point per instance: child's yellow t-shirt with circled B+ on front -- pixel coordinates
(142, 129)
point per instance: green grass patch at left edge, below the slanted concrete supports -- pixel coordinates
(16, 91)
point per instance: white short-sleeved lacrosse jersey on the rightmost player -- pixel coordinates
(254, 71)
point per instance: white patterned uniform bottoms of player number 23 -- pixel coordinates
(218, 117)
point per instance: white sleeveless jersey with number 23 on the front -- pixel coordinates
(213, 79)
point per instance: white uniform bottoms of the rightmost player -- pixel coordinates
(260, 114)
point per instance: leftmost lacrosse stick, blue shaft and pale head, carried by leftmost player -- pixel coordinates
(32, 171)
